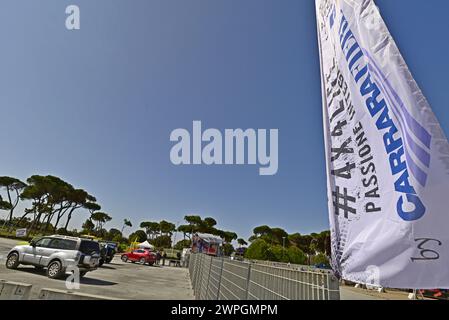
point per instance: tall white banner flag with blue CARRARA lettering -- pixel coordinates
(387, 156)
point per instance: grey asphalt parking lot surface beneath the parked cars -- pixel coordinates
(116, 280)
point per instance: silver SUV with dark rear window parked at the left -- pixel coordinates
(58, 254)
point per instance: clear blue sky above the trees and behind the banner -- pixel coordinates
(96, 106)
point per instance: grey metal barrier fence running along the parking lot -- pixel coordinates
(225, 279)
